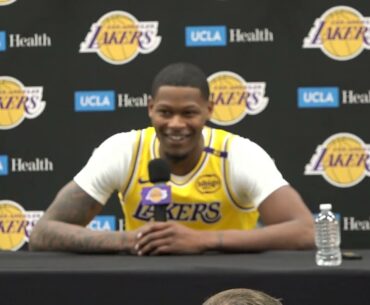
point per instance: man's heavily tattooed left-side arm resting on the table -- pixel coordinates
(62, 228)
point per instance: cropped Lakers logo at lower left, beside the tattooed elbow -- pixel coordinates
(15, 225)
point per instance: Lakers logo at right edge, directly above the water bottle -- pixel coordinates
(343, 160)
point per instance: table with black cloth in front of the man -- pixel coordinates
(66, 278)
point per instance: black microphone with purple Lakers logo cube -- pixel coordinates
(158, 195)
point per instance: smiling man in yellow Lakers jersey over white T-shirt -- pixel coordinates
(221, 184)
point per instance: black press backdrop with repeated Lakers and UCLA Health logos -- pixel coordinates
(292, 76)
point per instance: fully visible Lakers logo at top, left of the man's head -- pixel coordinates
(117, 37)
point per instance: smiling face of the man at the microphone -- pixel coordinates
(178, 115)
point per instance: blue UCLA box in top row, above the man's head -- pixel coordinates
(200, 36)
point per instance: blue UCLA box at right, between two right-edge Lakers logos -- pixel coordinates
(318, 97)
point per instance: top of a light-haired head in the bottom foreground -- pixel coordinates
(241, 296)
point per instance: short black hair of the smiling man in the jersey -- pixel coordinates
(181, 74)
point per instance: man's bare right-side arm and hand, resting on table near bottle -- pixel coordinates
(287, 222)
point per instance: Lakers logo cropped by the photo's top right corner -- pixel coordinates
(341, 33)
